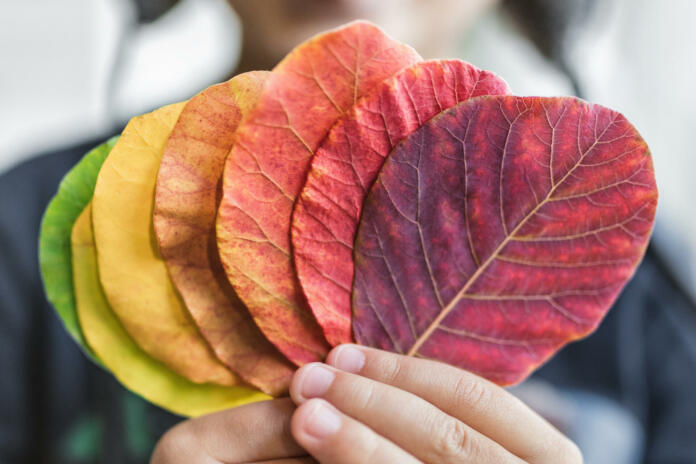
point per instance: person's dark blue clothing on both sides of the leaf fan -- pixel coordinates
(58, 407)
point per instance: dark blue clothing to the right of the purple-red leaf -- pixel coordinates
(643, 356)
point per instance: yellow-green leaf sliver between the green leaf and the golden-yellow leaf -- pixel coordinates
(133, 367)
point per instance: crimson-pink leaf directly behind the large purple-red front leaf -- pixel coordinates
(326, 215)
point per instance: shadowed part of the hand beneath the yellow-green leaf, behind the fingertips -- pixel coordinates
(255, 432)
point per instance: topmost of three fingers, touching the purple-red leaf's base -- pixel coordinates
(482, 405)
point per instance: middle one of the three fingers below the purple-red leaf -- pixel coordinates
(421, 429)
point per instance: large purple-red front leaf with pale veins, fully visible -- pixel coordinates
(501, 230)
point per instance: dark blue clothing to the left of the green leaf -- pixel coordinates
(56, 406)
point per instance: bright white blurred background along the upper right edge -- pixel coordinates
(641, 60)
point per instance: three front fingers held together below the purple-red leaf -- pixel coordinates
(369, 406)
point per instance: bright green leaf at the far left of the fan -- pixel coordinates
(74, 193)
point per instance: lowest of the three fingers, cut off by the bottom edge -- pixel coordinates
(335, 438)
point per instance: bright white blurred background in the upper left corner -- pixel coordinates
(57, 61)
